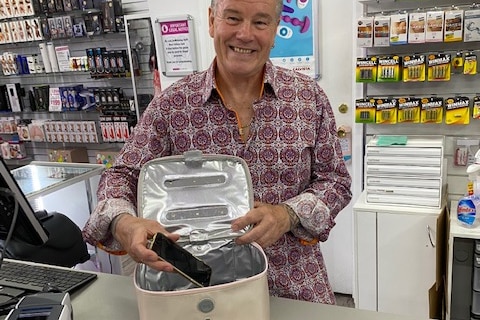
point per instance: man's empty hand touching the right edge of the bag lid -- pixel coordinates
(269, 222)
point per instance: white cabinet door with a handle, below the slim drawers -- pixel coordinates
(405, 262)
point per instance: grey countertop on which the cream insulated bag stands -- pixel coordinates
(112, 297)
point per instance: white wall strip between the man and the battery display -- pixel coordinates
(337, 79)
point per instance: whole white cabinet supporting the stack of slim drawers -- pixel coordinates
(395, 257)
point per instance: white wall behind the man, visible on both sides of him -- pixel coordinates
(336, 61)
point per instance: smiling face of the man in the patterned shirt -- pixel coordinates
(243, 32)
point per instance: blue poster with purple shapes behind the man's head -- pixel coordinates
(296, 43)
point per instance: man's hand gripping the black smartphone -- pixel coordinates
(133, 234)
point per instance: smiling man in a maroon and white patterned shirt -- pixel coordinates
(278, 120)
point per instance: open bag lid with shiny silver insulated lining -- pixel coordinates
(196, 195)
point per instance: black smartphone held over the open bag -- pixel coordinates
(185, 263)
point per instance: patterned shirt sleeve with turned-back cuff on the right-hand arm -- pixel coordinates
(328, 191)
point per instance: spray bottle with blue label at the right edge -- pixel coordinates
(468, 209)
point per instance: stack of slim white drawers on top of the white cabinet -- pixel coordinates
(410, 174)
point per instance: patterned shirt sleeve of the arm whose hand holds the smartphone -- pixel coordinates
(117, 189)
